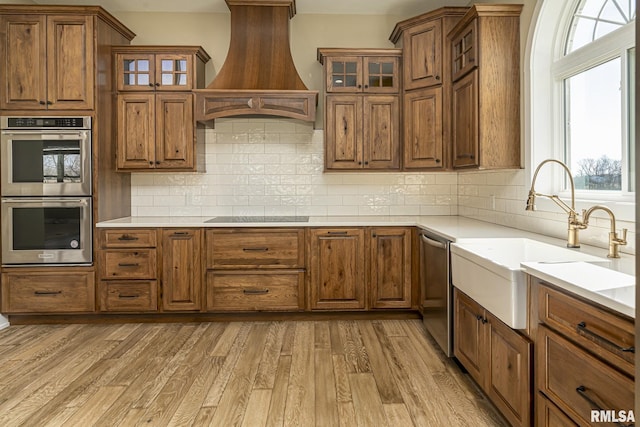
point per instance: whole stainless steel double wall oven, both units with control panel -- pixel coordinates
(45, 182)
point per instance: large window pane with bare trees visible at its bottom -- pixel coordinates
(593, 134)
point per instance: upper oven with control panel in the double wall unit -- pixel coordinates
(45, 156)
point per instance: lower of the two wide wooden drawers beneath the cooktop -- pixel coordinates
(255, 290)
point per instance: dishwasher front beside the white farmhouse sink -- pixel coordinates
(436, 291)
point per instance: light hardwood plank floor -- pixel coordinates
(280, 373)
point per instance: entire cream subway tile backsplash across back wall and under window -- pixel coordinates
(275, 167)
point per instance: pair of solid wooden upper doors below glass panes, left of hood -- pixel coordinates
(155, 131)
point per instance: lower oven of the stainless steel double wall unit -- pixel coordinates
(46, 231)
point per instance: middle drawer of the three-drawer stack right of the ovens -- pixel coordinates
(128, 264)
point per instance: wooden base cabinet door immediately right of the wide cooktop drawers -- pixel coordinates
(337, 268)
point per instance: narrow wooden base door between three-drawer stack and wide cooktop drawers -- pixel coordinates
(181, 269)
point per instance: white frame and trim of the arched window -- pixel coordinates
(545, 116)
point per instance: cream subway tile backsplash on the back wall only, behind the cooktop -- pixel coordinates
(275, 167)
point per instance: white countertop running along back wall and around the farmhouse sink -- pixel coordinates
(453, 228)
